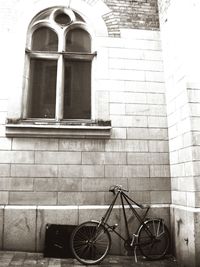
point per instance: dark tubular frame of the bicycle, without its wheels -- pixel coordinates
(125, 198)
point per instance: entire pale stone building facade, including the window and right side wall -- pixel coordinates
(96, 93)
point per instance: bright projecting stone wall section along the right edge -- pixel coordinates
(181, 64)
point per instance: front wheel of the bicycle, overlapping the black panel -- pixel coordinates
(90, 242)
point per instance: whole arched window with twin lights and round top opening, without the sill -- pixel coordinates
(58, 84)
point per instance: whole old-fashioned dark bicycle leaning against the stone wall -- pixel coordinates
(91, 240)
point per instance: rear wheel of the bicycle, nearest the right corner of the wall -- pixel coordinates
(154, 245)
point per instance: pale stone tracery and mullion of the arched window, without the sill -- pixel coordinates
(59, 55)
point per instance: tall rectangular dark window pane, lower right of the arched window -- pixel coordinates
(77, 100)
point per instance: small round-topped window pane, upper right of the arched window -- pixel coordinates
(78, 40)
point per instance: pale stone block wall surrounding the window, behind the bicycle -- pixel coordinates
(56, 180)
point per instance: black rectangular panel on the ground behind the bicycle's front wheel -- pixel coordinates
(57, 241)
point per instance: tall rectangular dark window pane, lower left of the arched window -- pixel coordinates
(42, 88)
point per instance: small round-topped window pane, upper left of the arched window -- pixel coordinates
(44, 39)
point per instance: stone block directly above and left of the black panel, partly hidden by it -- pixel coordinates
(67, 215)
